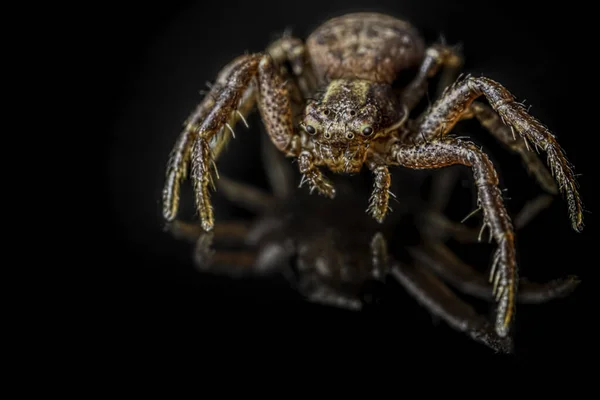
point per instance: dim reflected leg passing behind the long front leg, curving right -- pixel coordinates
(443, 262)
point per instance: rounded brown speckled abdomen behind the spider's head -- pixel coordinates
(364, 45)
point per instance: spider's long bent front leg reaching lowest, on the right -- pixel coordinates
(448, 151)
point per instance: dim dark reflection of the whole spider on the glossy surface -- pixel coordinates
(337, 261)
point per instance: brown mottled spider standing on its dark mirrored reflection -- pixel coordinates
(334, 102)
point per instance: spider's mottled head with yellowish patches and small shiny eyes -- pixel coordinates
(352, 113)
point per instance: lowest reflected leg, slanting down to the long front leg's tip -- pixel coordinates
(439, 300)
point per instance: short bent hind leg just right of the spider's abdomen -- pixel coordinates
(435, 57)
